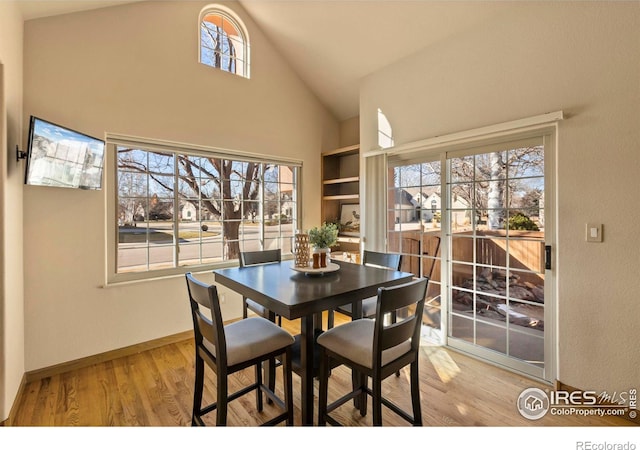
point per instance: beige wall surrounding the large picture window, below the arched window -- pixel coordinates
(134, 69)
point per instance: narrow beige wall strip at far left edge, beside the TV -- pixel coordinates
(11, 287)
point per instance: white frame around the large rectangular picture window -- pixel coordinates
(113, 141)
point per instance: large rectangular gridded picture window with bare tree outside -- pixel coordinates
(178, 210)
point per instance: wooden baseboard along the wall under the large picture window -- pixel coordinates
(80, 363)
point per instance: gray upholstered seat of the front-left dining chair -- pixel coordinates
(250, 338)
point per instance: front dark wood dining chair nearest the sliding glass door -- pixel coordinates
(376, 350)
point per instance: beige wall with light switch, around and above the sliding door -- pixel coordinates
(582, 58)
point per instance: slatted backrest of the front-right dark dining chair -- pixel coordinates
(411, 296)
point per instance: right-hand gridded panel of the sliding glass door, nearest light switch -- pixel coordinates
(496, 236)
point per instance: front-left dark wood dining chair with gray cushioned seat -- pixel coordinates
(230, 348)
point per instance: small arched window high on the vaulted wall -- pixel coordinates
(224, 40)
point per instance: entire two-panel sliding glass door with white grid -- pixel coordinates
(473, 219)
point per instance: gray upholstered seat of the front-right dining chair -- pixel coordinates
(354, 341)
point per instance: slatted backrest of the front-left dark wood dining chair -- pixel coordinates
(206, 296)
